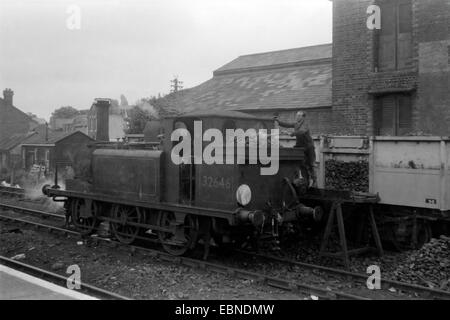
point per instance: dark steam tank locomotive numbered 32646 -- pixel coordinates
(139, 190)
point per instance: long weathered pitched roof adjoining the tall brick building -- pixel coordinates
(276, 80)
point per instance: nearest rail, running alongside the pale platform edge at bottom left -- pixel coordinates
(59, 280)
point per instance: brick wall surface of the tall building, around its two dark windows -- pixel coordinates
(356, 83)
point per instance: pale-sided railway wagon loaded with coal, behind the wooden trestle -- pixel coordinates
(410, 174)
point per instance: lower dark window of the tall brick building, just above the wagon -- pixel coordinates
(393, 115)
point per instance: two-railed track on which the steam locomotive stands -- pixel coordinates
(280, 283)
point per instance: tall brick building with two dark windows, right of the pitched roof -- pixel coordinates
(395, 80)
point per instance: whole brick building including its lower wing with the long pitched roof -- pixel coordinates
(391, 81)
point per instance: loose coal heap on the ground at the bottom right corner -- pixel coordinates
(429, 266)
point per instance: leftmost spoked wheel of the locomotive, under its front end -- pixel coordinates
(85, 224)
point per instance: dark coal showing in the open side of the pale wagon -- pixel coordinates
(351, 176)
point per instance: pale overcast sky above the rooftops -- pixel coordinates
(136, 47)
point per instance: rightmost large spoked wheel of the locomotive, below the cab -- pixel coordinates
(183, 240)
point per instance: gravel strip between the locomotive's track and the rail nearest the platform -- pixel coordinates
(134, 276)
